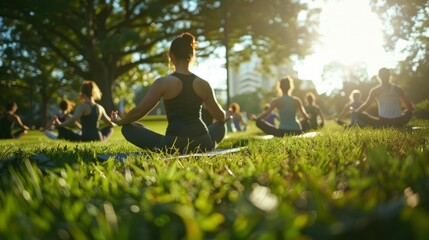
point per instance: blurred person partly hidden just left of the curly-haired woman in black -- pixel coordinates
(64, 113)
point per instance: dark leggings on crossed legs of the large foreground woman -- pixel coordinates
(144, 138)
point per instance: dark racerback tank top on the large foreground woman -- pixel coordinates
(184, 110)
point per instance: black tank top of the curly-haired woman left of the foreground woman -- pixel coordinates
(90, 125)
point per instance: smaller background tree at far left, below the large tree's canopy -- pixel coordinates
(32, 70)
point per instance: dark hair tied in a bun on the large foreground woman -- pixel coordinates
(183, 46)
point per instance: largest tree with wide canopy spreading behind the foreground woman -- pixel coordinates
(107, 40)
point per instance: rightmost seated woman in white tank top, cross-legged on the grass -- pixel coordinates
(389, 98)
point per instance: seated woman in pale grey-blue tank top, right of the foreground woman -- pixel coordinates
(287, 106)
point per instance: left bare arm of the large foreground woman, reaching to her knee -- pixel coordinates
(145, 106)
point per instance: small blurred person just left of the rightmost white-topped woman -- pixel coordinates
(349, 109)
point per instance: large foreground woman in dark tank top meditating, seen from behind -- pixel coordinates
(183, 94)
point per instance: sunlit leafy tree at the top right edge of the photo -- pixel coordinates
(408, 20)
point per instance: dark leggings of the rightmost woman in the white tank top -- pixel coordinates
(379, 122)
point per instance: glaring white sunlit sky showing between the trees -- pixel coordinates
(350, 33)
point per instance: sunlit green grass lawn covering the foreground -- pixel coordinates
(341, 184)
